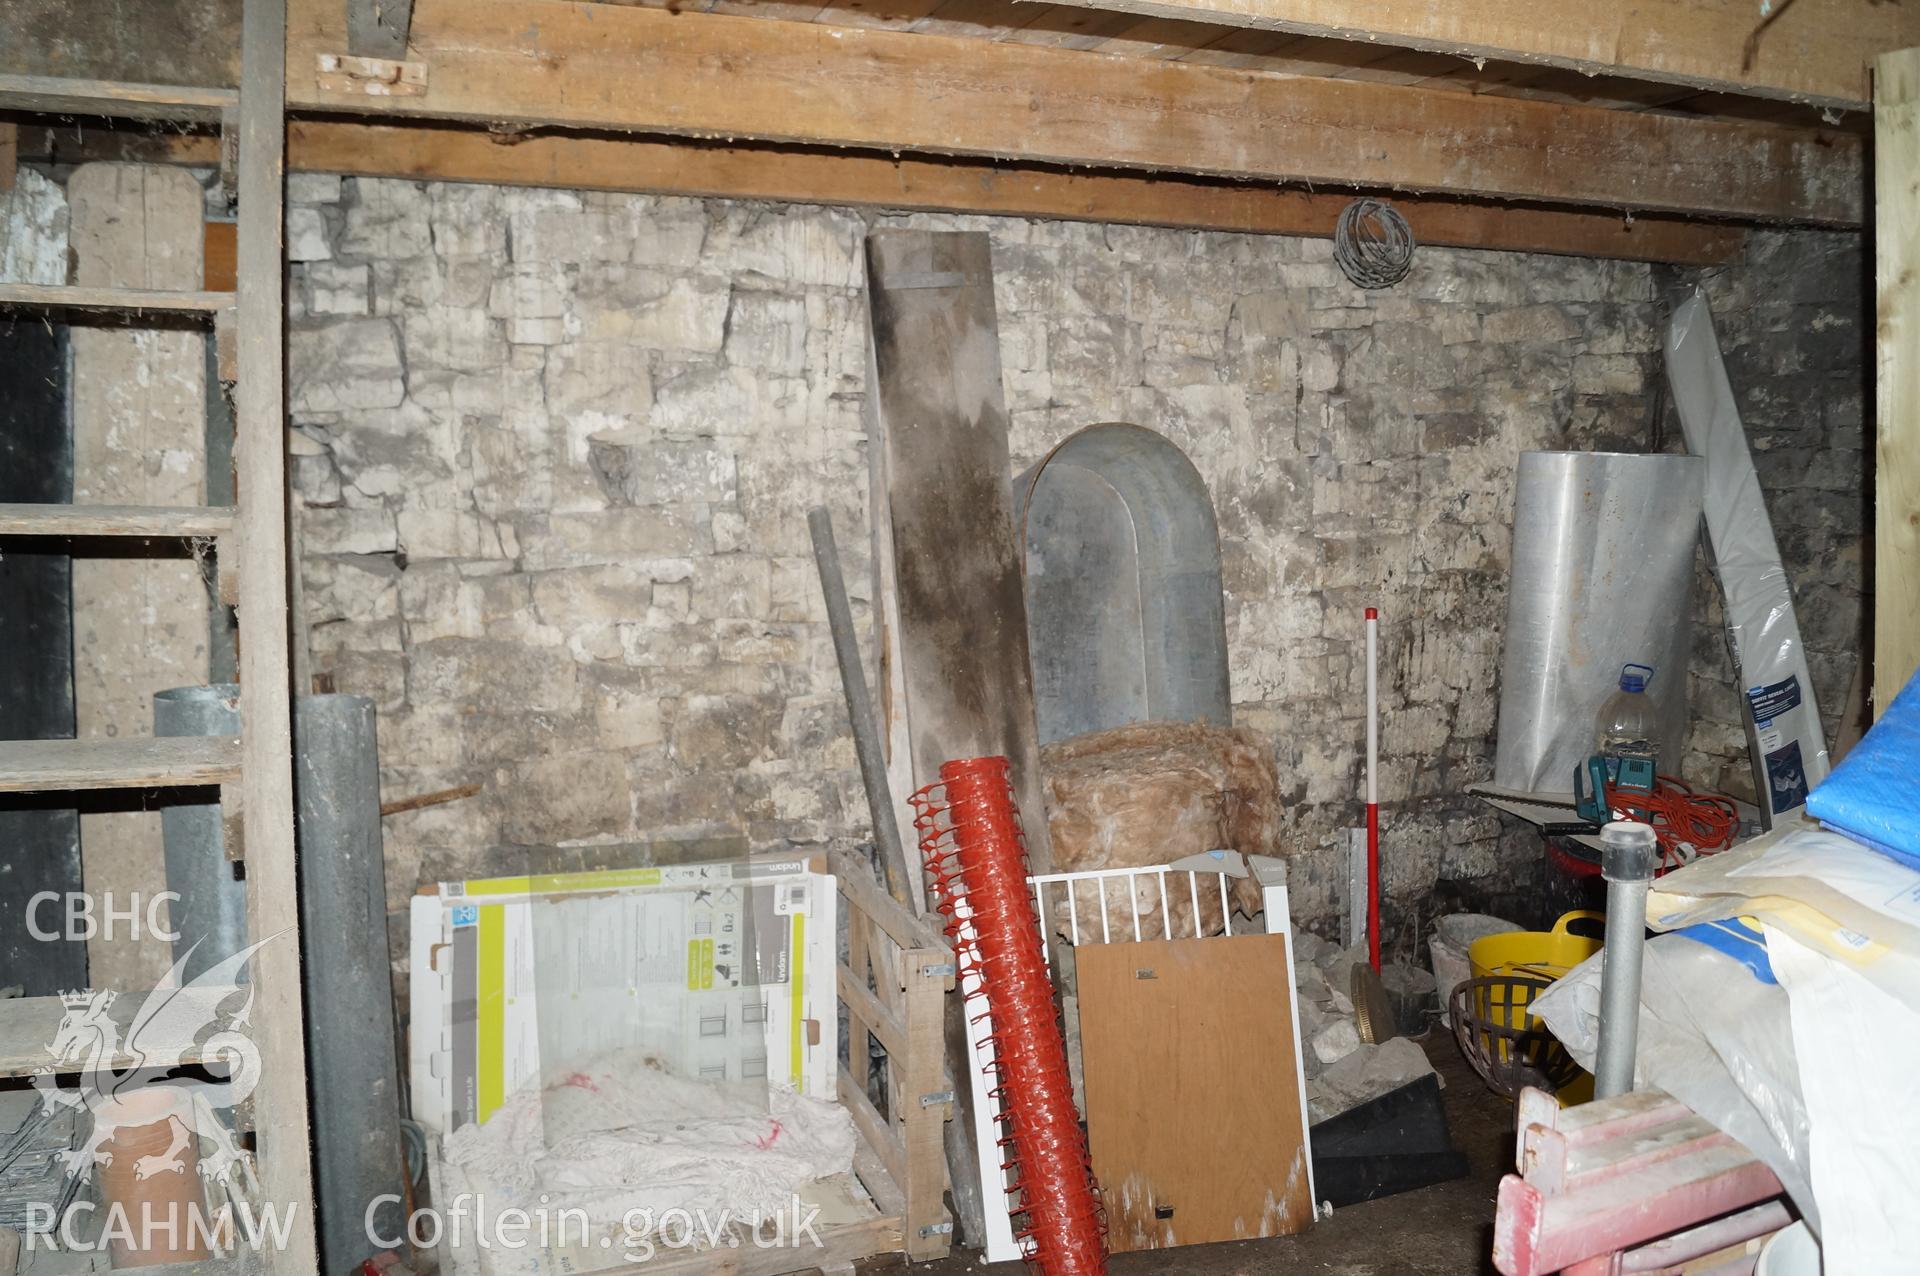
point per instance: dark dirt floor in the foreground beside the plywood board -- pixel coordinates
(1443, 1231)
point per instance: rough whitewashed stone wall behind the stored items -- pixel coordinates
(560, 450)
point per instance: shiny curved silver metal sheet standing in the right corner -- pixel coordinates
(1602, 577)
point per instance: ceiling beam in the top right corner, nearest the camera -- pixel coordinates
(1817, 53)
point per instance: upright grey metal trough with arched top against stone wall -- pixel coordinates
(1122, 571)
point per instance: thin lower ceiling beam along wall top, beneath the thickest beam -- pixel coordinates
(650, 166)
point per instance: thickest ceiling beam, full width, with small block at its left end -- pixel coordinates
(631, 70)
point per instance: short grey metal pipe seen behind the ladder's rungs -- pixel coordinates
(210, 912)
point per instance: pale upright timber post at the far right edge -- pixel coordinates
(1898, 404)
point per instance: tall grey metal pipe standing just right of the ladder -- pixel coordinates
(347, 972)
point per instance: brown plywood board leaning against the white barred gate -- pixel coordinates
(1186, 1148)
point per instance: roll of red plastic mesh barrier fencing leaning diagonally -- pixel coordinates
(976, 862)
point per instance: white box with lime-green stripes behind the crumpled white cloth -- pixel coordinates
(725, 970)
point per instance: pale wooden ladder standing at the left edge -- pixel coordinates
(252, 550)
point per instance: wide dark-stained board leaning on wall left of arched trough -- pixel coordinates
(953, 615)
